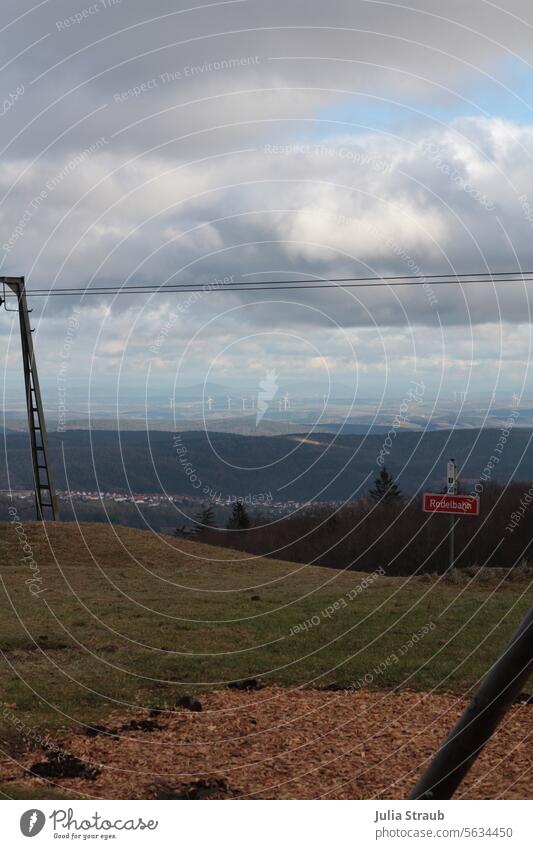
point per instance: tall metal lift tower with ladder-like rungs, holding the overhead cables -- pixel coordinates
(45, 497)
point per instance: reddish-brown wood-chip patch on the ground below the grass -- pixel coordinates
(277, 743)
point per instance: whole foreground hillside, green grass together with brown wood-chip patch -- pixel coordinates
(109, 626)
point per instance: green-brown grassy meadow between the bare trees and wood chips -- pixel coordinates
(125, 618)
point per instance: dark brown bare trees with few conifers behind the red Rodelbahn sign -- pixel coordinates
(387, 530)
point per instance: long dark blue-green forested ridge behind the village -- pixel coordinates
(319, 467)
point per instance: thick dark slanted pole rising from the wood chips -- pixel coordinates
(495, 695)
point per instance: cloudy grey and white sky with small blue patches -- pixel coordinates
(243, 141)
